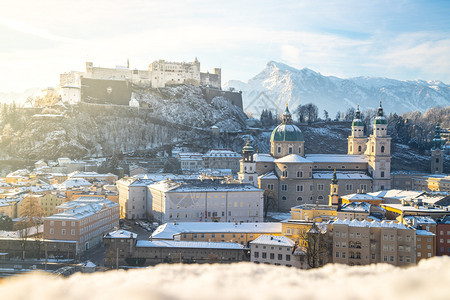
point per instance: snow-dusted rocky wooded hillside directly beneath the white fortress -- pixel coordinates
(176, 115)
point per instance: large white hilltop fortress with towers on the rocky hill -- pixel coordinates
(113, 85)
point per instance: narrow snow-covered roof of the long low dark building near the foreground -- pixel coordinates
(188, 244)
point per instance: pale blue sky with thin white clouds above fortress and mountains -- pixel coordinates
(396, 39)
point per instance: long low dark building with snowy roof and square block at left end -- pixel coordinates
(123, 248)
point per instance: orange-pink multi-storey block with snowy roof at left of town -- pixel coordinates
(84, 220)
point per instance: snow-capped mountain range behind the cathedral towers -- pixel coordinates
(278, 84)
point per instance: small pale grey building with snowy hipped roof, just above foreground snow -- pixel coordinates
(276, 250)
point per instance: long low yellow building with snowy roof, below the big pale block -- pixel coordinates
(236, 232)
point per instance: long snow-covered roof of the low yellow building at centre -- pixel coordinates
(169, 230)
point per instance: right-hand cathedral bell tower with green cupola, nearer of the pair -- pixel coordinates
(378, 152)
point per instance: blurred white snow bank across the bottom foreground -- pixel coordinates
(429, 280)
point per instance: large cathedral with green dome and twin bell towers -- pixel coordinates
(297, 178)
